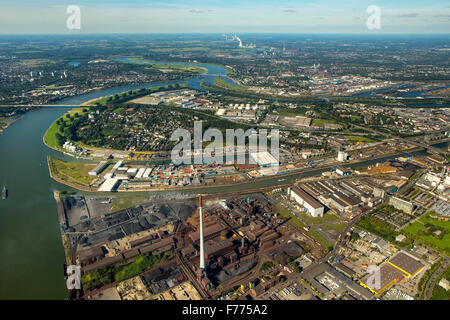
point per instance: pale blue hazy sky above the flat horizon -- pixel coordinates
(224, 16)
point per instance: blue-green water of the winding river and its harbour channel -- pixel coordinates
(31, 253)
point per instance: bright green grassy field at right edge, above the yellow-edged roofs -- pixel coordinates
(423, 230)
